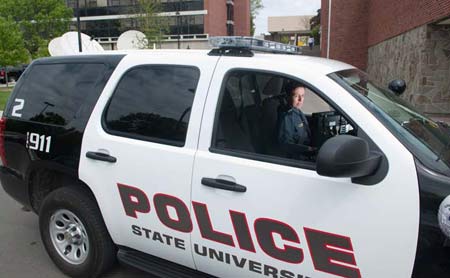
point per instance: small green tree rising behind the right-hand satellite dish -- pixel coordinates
(150, 23)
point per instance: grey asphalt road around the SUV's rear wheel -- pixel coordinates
(21, 251)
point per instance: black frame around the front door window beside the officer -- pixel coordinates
(263, 157)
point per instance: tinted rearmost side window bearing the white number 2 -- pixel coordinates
(55, 94)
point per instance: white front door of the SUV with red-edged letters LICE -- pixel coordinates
(263, 215)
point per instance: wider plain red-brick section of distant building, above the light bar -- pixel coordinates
(216, 19)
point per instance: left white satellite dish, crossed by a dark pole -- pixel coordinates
(67, 44)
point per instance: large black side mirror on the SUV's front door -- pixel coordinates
(346, 156)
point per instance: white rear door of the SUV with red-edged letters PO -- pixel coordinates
(138, 152)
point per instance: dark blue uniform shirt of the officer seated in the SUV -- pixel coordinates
(294, 128)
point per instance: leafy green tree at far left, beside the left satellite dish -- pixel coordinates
(39, 20)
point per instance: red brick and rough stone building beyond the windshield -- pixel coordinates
(408, 39)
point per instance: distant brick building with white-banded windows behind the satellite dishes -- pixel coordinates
(196, 20)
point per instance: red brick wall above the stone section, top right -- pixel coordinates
(359, 24)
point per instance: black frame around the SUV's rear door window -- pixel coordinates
(156, 140)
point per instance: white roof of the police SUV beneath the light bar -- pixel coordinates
(319, 65)
